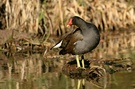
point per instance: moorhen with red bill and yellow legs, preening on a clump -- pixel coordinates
(80, 41)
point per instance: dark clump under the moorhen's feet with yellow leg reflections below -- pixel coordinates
(95, 75)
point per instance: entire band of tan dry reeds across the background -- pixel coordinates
(23, 15)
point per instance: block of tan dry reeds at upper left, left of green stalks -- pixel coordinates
(23, 15)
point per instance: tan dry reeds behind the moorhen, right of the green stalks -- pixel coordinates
(106, 14)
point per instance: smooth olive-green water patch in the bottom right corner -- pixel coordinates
(122, 80)
